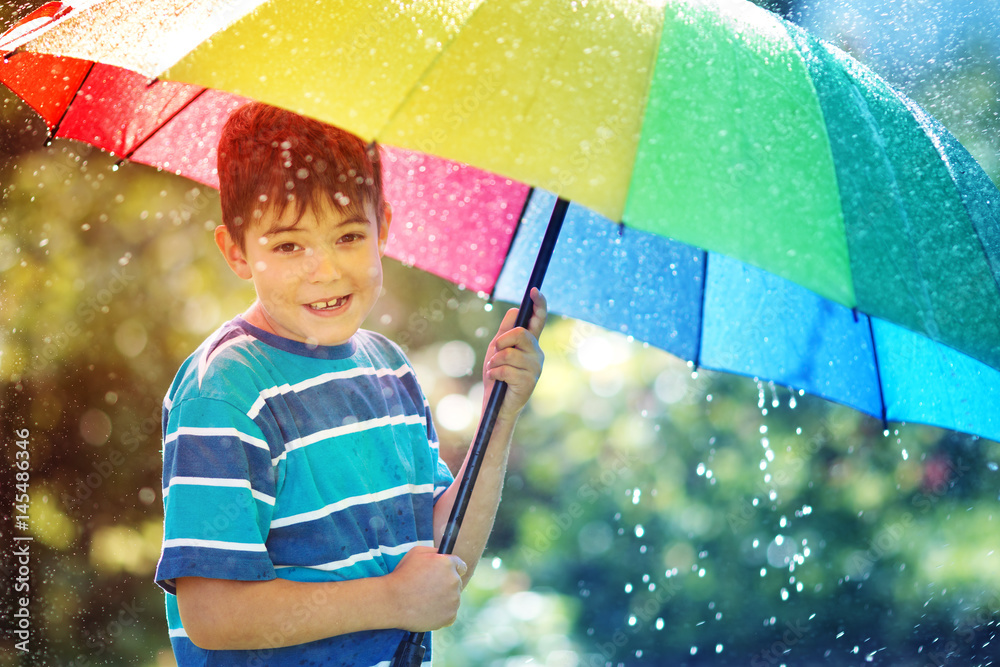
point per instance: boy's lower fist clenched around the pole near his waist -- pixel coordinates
(428, 589)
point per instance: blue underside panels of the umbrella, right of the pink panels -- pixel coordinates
(722, 314)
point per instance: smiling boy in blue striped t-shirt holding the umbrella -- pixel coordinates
(303, 492)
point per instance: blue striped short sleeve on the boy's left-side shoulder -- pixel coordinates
(218, 495)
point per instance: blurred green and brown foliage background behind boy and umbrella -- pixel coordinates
(653, 514)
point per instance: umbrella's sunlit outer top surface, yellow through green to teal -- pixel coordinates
(712, 122)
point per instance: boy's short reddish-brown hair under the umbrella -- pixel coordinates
(270, 158)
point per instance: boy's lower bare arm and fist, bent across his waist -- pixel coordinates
(421, 594)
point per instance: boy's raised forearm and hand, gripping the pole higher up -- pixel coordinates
(515, 358)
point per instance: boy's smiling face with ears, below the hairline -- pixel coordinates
(317, 277)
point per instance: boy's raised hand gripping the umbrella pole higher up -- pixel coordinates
(514, 357)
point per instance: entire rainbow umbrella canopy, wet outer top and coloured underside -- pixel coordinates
(784, 212)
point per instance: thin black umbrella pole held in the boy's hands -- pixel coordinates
(411, 651)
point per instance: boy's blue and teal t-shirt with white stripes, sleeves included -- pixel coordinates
(310, 463)
